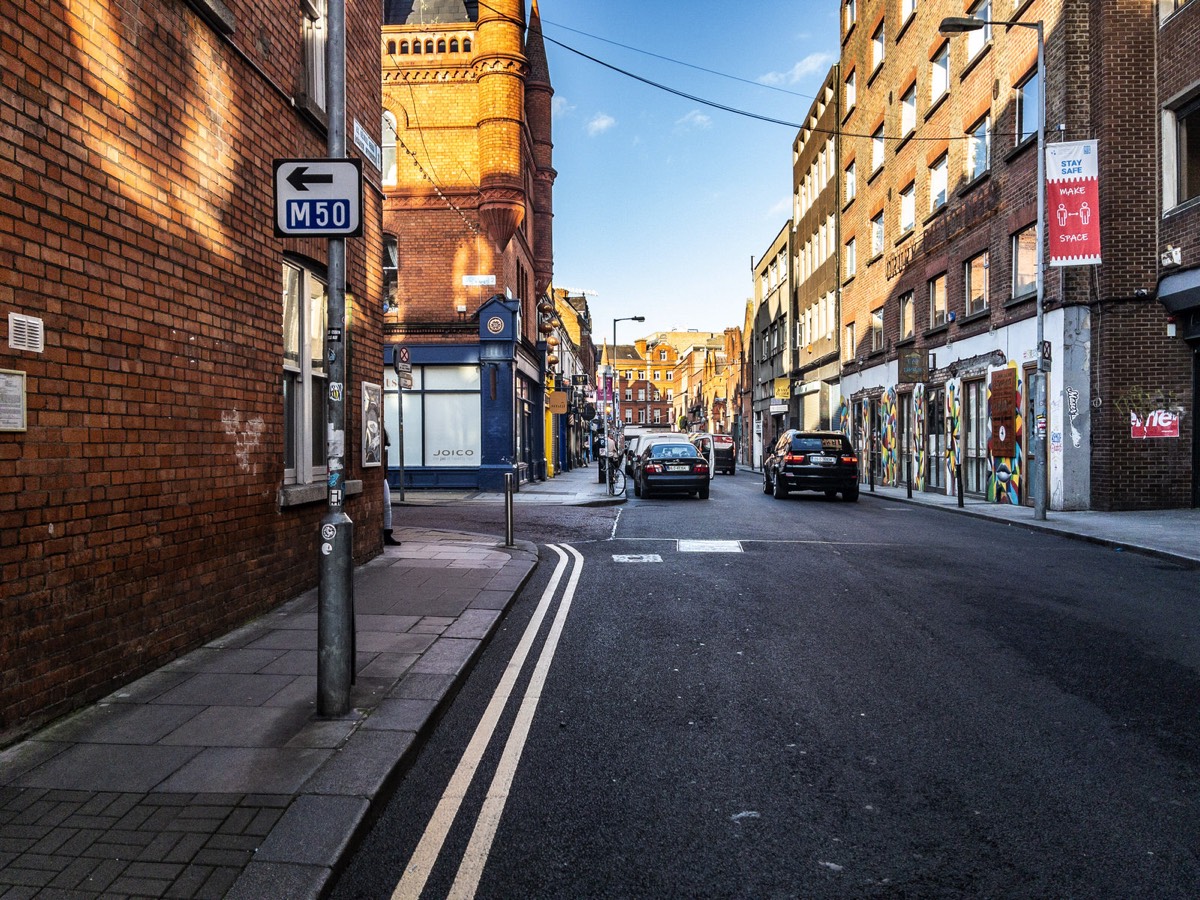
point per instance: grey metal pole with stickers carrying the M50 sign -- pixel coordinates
(335, 616)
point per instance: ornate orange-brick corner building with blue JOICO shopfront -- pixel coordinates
(469, 182)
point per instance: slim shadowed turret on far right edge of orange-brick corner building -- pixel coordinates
(539, 95)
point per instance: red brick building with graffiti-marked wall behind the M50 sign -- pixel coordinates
(163, 389)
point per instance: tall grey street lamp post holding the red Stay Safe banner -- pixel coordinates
(961, 25)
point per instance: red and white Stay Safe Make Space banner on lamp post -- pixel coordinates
(1073, 203)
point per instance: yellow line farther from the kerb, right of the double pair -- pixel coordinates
(466, 883)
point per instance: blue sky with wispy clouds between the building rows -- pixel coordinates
(662, 203)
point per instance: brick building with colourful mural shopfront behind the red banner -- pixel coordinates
(940, 190)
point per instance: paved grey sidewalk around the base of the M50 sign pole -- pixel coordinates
(214, 777)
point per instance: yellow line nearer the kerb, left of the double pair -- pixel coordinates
(418, 871)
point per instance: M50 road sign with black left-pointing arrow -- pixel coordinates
(319, 199)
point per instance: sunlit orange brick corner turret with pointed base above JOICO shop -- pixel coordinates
(501, 69)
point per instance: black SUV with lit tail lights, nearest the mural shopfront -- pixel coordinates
(812, 461)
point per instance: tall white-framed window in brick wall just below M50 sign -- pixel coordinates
(304, 375)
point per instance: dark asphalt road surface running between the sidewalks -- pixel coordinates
(866, 700)
